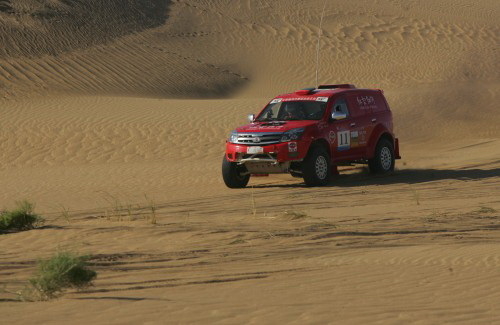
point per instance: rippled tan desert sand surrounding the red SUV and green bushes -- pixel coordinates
(111, 107)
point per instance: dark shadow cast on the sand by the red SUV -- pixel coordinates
(403, 176)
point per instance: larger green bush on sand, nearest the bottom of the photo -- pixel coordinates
(64, 270)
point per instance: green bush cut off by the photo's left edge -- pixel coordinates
(21, 218)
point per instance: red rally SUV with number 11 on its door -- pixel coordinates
(312, 131)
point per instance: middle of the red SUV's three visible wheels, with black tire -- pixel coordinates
(316, 167)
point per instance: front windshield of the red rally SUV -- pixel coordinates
(292, 111)
